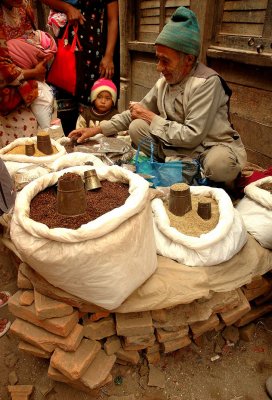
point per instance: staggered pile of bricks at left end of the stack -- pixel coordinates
(49, 329)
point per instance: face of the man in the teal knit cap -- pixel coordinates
(173, 64)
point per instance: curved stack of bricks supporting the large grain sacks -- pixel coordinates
(84, 346)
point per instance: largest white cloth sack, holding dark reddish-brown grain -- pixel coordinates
(104, 260)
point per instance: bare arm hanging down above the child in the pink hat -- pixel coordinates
(106, 66)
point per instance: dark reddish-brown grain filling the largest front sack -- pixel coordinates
(43, 207)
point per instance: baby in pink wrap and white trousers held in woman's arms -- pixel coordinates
(26, 52)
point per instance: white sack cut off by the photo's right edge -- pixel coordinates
(256, 210)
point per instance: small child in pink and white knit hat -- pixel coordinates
(103, 99)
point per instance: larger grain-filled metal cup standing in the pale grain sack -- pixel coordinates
(180, 201)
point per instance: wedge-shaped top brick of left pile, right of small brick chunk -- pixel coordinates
(48, 308)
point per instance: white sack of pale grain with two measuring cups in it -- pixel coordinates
(220, 244)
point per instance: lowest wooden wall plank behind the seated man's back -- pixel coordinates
(255, 136)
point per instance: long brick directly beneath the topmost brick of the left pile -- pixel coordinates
(59, 326)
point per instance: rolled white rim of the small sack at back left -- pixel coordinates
(22, 158)
